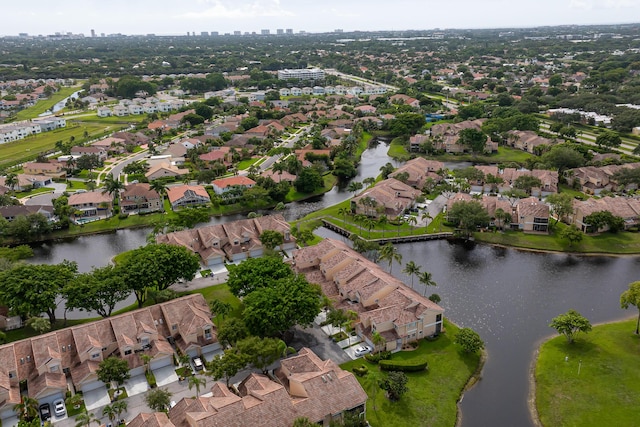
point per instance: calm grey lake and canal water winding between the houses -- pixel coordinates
(508, 296)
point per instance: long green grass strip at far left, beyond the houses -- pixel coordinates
(27, 149)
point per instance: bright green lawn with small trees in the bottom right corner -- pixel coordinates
(604, 393)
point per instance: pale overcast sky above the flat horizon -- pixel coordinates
(180, 16)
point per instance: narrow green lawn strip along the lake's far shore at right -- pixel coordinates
(606, 243)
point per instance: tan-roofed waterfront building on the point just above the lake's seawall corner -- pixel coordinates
(389, 197)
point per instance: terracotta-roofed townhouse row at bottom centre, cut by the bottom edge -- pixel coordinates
(303, 386)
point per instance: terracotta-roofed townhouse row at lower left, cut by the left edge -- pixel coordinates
(52, 363)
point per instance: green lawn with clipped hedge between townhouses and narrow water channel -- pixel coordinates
(433, 394)
